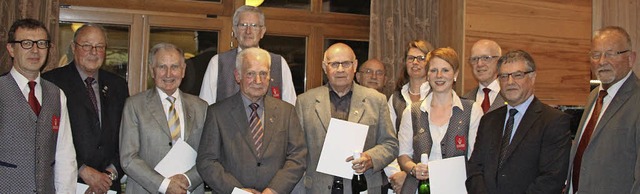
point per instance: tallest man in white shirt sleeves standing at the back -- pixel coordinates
(219, 82)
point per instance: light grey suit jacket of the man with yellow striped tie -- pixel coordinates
(145, 139)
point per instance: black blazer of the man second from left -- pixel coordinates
(96, 143)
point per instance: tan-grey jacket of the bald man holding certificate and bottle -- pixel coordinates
(368, 107)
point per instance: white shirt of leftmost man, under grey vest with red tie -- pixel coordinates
(65, 169)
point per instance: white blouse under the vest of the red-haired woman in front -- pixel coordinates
(405, 135)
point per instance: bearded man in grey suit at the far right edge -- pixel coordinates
(605, 156)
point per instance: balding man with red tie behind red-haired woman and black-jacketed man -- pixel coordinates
(483, 61)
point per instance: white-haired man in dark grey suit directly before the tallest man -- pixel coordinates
(251, 140)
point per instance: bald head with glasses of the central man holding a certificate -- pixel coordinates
(339, 65)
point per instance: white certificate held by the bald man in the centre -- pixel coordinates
(342, 139)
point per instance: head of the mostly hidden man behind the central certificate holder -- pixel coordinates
(372, 75)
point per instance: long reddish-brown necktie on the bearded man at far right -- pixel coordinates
(586, 137)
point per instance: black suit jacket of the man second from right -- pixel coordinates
(536, 160)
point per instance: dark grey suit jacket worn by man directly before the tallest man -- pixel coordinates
(227, 158)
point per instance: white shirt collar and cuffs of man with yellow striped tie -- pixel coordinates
(178, 107)
